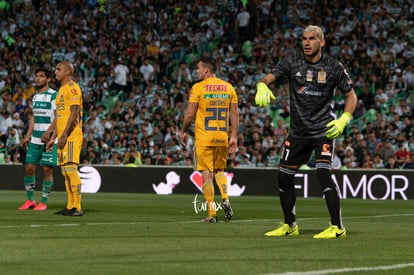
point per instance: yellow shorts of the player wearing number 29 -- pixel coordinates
(210, 158)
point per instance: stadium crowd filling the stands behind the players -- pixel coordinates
(135, 62)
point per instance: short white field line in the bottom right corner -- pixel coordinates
(351, 269)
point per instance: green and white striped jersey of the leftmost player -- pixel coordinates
(44, 108)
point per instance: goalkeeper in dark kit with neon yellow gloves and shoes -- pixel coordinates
(313, 77)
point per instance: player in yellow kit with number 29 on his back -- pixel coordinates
(213, 104)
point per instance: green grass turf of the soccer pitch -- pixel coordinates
(124, 233)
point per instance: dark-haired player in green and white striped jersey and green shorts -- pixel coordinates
(41, 125)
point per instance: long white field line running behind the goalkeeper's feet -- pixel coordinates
(186, 222)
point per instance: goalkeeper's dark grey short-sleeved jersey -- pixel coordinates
(311, 92)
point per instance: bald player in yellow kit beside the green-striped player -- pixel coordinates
(69, 133)
